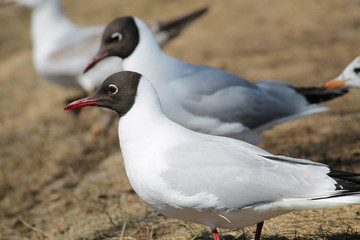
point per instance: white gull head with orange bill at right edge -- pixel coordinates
(349, 78)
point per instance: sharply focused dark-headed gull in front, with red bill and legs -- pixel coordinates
(217, 181)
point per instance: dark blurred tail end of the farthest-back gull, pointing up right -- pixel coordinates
(167, 30)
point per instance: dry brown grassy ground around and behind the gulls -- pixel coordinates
(59, 181)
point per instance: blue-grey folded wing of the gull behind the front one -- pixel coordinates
(230, 98)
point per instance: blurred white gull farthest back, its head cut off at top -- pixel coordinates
(61, 49)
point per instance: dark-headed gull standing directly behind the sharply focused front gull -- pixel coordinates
(203, 98)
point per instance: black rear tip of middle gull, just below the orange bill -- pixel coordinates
(316, 95)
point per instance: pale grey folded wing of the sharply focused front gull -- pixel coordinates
(248, 174)
